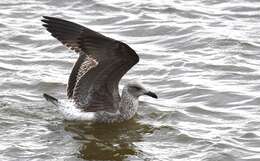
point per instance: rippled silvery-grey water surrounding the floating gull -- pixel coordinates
(201, 57)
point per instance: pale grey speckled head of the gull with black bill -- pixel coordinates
(137, 89)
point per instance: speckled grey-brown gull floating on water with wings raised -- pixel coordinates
(93, 83)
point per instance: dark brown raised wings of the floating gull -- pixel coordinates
(93, 82)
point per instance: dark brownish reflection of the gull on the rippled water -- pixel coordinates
(108, 142)
